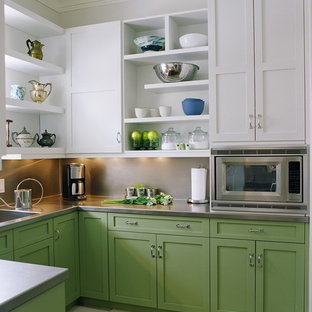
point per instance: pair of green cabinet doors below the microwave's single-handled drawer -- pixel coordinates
(249, 276)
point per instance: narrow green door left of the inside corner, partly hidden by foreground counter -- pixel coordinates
(66, 252)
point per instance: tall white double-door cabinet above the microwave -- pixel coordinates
(256, 71)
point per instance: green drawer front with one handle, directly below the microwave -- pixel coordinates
(257, 230)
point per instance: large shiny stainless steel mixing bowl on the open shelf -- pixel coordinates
(175, 71)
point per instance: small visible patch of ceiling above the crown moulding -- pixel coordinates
(69, 5)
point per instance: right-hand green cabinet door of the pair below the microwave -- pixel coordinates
(280, 277)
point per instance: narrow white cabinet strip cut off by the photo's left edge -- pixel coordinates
(2, 85)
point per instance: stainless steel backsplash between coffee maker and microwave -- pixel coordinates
(111, 176)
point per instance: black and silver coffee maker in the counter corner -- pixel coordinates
(74, 184)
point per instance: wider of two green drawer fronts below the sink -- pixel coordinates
(32, 233)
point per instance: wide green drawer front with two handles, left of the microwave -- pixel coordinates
(157, 224)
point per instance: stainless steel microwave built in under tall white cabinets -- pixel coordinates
(262, 179)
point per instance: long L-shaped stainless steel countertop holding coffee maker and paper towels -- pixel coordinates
(56, 205)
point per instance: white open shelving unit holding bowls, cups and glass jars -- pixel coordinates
(142, 88)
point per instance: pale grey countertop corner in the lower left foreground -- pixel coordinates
(20, 282)
